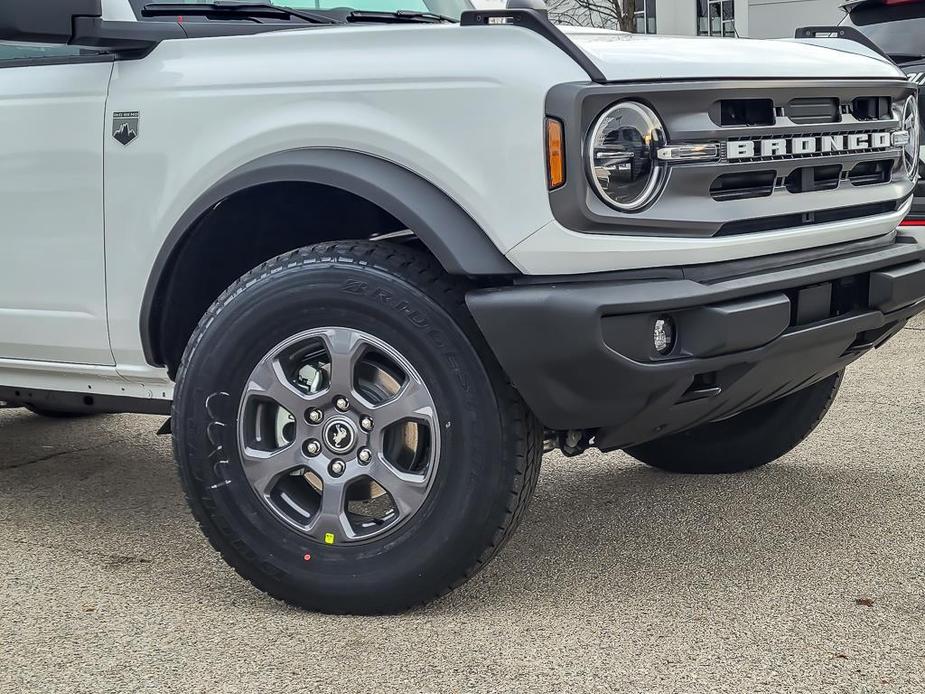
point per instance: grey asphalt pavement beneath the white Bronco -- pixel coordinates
(804, 576)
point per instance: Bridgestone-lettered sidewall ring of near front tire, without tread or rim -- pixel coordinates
(467, 500)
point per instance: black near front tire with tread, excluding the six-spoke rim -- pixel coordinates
(490, 455)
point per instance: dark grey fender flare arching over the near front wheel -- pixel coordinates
(458, 243)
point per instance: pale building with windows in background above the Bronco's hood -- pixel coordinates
(746, 18)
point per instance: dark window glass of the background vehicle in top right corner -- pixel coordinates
(899, 30)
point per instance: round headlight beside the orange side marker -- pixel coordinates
(622, 157)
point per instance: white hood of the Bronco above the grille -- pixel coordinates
(630, 57)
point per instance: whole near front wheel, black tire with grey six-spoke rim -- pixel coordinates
(343, 436)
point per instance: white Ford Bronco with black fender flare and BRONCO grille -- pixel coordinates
(375, 259)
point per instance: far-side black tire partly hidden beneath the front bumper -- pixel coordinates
(749, 440)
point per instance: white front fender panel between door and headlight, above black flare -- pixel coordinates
(453, 105)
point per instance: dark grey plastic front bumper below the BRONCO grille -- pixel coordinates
(748, 332)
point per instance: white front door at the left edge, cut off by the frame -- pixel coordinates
(52, 272)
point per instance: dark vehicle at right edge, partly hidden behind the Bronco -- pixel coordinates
(897, 27)
